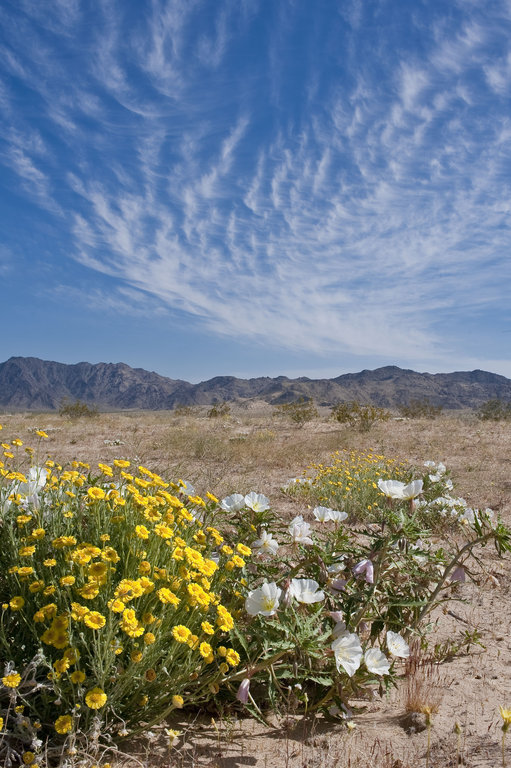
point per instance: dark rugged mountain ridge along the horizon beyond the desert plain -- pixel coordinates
(28, 383)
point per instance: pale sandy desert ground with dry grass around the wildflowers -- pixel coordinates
(251, 449)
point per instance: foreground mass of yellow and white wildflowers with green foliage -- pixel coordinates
(126, 597)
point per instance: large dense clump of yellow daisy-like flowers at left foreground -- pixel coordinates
(111, 570)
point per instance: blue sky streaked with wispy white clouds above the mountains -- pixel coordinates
(257, 187)
